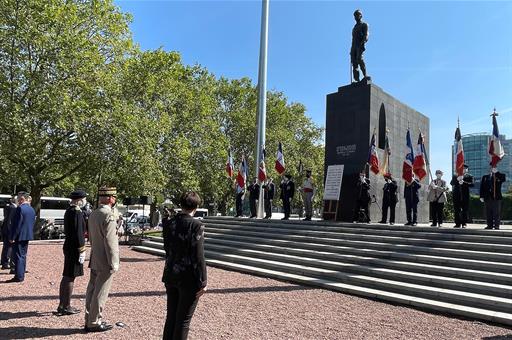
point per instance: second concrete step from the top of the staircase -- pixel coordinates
(463, 245)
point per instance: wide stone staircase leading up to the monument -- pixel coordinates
(457, 271)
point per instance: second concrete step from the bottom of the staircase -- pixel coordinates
(474, 300)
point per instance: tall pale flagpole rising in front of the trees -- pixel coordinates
(262, 96)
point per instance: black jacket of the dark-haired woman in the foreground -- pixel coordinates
(185, 264)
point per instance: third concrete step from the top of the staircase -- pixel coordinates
(404, 248)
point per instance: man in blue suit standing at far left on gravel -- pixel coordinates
(22, 231)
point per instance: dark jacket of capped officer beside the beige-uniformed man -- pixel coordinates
(74, 228)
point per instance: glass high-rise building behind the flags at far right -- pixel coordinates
(476, 156)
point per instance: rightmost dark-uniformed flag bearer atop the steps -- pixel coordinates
(490, 194)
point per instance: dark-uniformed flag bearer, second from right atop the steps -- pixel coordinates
(460, 191)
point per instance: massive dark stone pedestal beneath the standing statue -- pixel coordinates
(351, 116)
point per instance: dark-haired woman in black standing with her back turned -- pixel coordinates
(185, 268)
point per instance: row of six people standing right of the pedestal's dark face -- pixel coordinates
(490, 195)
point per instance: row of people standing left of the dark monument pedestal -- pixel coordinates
(286, 193)
